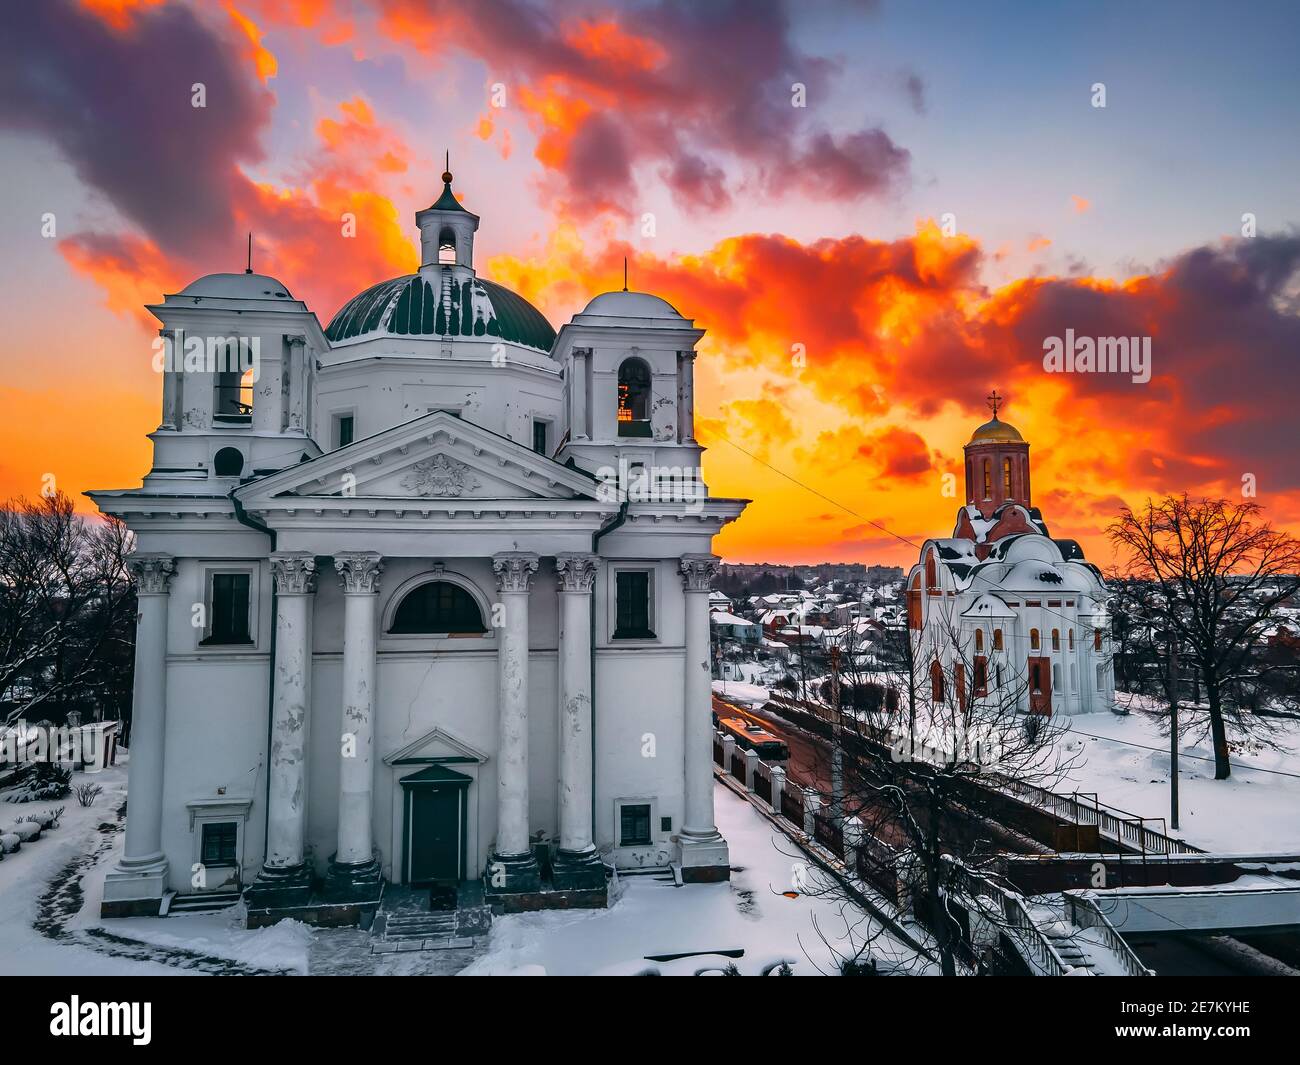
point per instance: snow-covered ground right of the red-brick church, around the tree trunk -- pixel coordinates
(1125, 760)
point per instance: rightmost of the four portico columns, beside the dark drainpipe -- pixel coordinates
(577, 575)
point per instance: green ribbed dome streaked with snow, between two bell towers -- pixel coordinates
(411, 306)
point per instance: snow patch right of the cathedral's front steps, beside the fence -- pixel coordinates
(748, 915)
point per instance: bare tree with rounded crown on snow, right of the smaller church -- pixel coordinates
(1217, 574)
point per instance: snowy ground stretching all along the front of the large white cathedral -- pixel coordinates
(51, 891)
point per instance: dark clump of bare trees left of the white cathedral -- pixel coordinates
(67, 603)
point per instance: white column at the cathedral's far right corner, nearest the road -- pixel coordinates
(704, 852)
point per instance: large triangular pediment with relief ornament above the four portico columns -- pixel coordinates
(436, 457)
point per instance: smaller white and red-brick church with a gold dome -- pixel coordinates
(1024, 614)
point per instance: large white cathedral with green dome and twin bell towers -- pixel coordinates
(423, 596)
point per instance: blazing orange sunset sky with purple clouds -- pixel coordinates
(851, 340)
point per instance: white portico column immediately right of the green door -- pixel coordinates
(513, 868)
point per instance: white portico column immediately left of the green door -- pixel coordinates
(359, 574)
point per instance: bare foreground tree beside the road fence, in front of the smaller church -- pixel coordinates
(929, 778)
